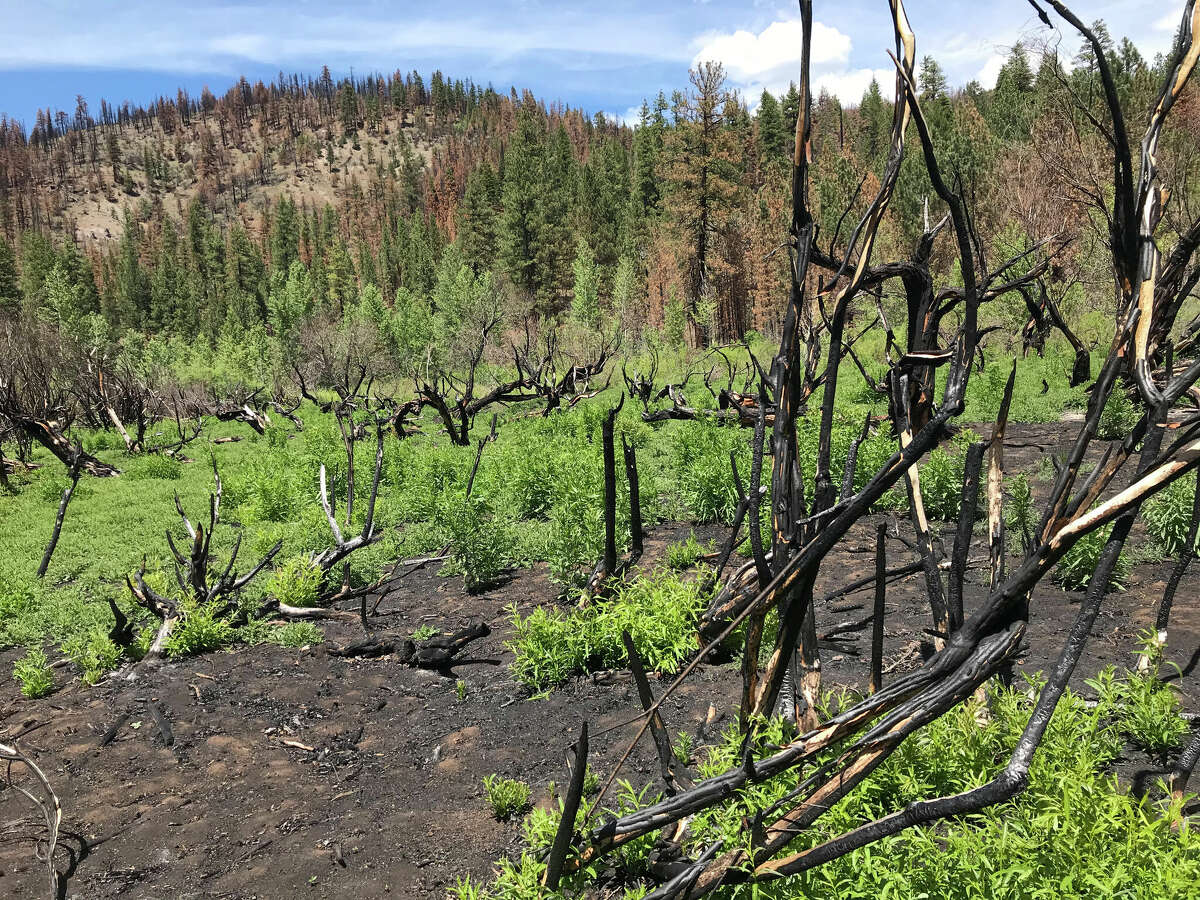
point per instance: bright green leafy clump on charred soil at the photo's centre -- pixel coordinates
(659, 611)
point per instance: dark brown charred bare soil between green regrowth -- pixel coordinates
(380, 791)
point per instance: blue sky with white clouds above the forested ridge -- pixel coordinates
(602, 57)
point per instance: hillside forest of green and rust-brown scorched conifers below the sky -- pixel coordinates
(191, 214)
